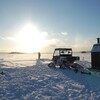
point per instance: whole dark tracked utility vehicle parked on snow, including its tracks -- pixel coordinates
(63, 58)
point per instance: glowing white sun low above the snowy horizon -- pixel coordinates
(30, 39)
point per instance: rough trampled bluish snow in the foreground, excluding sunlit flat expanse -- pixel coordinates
(39, 82)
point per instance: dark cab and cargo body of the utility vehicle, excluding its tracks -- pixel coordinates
(64, 55)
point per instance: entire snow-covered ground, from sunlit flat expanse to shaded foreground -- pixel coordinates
(27, 78)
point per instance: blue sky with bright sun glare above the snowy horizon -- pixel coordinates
(43, 25)
